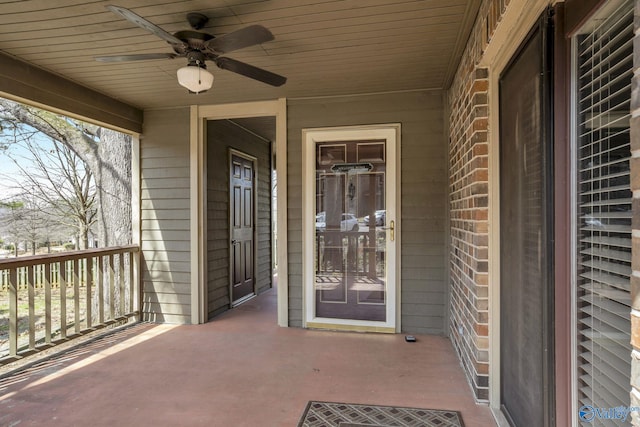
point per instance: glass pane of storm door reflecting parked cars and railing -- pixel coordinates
(350, 230)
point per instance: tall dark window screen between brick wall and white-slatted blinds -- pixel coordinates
(524, 232)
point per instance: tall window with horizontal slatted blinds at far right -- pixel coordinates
(604, 68)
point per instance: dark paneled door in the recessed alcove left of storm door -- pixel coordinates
(242, 177)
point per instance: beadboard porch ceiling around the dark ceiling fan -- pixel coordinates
(323, 47)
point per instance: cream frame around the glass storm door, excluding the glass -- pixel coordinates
(389, 132)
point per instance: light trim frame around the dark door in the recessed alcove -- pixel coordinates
(254, 215)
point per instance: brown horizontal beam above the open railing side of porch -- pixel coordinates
(23, 82)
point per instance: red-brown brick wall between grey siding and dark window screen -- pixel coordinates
(469, 203)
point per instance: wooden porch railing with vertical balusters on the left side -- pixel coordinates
(49, 299)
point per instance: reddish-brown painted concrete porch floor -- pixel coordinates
(239, 370)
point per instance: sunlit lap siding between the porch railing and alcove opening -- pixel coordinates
(165, 216)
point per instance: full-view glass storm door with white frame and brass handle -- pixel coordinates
(351, 279)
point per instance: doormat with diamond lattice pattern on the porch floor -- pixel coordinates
(328, 414)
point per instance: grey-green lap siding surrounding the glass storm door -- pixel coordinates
(423, 199)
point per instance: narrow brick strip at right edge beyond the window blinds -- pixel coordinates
(635, 187)
